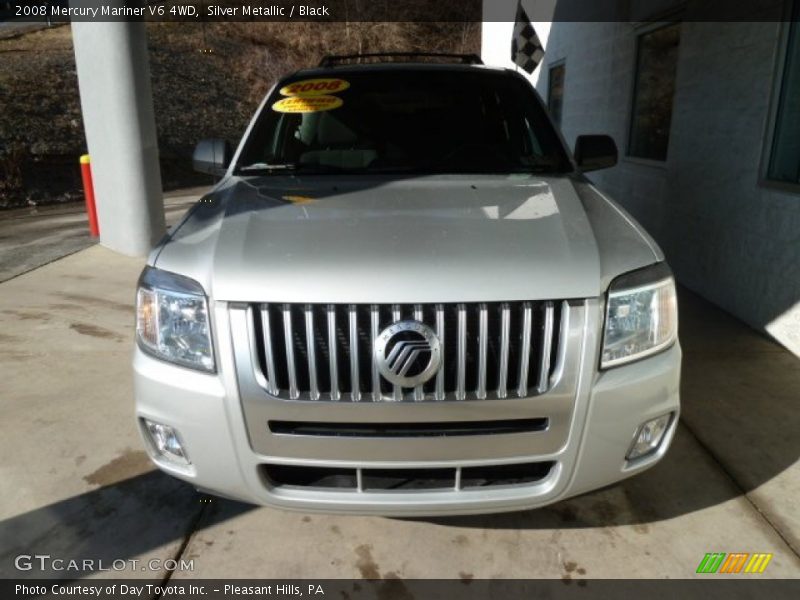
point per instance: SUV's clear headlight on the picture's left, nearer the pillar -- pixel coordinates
(172, 319)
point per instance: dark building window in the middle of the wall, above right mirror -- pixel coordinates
(654, 90)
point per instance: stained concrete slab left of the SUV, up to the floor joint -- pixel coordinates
(75, 480)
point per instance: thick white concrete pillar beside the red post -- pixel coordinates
(117, 104)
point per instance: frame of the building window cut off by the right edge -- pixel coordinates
(771, 122)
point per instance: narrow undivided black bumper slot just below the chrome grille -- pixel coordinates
(399, 430)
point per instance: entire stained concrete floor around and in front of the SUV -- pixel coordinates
(76, 483)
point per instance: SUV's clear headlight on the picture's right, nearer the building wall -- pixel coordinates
(641, 315)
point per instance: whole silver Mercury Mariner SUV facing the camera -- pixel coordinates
(404, 297)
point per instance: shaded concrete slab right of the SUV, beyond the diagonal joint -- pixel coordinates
(741, 399)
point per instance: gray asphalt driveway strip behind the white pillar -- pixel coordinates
(32, 237)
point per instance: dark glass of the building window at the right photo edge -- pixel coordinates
(784, 161)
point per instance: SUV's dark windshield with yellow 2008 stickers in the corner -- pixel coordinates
(404, 121)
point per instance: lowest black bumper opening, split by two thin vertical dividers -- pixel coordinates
(406, 480)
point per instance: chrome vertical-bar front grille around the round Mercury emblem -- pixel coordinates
(488, 350)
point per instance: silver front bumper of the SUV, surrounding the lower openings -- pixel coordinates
(587, 446)
